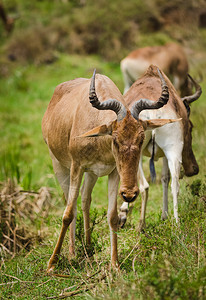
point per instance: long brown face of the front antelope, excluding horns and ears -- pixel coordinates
(128, 136)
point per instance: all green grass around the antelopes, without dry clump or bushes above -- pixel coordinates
(165, 262)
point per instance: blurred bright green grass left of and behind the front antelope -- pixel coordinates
(24, 98)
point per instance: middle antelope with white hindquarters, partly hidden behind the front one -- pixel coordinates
(173, 142)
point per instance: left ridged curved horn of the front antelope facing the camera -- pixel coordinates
(111, 104)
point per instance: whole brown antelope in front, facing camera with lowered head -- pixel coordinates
(111, 146)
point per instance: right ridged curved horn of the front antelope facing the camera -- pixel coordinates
(143, 104)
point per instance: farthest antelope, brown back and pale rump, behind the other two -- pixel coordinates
(170, 58)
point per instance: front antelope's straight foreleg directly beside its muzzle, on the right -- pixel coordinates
(112, 215)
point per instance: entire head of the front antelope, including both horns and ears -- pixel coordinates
(127, 132)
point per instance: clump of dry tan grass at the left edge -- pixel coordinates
(18, 210)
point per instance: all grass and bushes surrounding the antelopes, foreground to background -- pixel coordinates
(55, 41)
